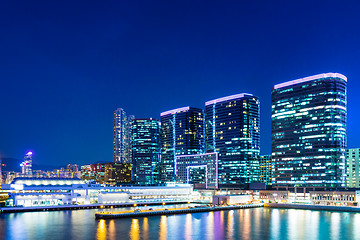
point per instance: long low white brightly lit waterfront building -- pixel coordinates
(30, 192)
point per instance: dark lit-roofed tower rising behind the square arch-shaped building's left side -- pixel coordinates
(181, 134)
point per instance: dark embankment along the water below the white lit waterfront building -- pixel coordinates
(84, 206)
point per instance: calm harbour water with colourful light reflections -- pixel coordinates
(255, 223)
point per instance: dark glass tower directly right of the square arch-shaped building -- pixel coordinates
(233, 131)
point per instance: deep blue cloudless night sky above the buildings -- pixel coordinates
(65, 66)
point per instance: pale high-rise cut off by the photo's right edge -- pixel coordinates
(353, 168)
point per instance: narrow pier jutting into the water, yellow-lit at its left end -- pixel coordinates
(148, 213)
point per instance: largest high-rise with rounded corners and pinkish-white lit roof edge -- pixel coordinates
(309, 131)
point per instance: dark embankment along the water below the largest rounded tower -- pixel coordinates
(312, 207)
